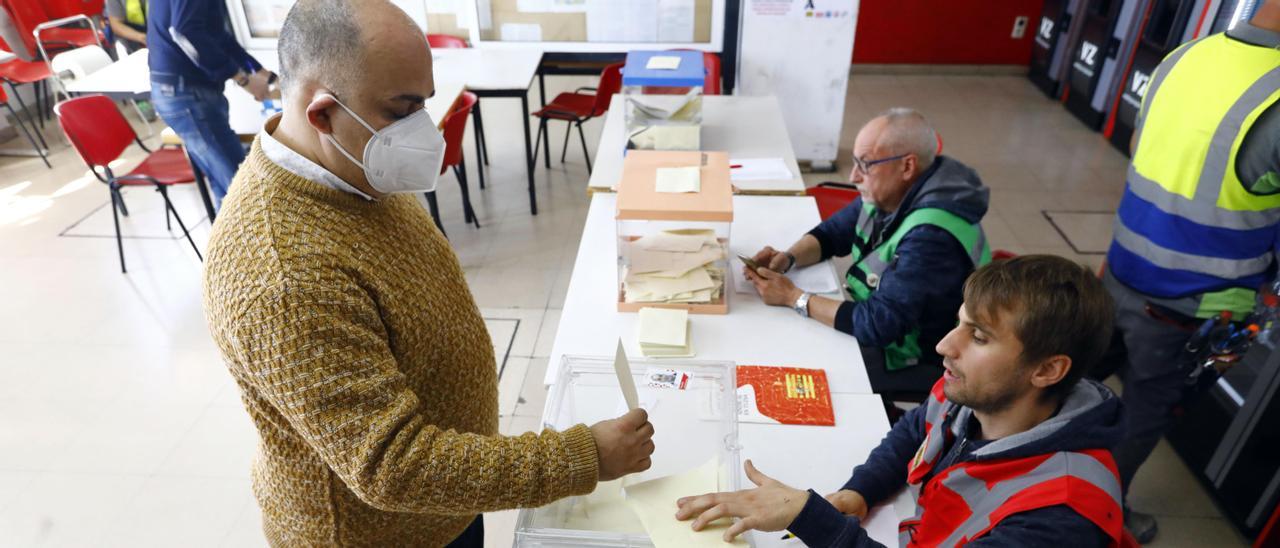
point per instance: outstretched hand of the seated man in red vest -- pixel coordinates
(772, 506)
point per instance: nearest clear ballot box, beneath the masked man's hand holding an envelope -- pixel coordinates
(693, 407)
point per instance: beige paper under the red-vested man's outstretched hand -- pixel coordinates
(655, 503)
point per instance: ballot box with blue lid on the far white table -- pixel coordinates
(664, 98)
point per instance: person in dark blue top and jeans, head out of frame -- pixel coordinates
(193, 53)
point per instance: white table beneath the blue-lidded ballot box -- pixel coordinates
(744, 127)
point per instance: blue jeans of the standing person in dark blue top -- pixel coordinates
(198, 113)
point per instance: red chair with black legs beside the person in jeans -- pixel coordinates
(100, 134)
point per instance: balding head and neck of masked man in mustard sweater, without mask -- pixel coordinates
(349, 70)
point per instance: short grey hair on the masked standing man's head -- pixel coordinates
(321, 39)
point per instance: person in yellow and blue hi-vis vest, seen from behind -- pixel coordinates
(1196, 231)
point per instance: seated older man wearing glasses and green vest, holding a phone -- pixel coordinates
(915, 236)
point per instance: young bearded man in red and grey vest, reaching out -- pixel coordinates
(1012, 450)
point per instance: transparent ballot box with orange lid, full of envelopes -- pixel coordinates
(675, 212)
